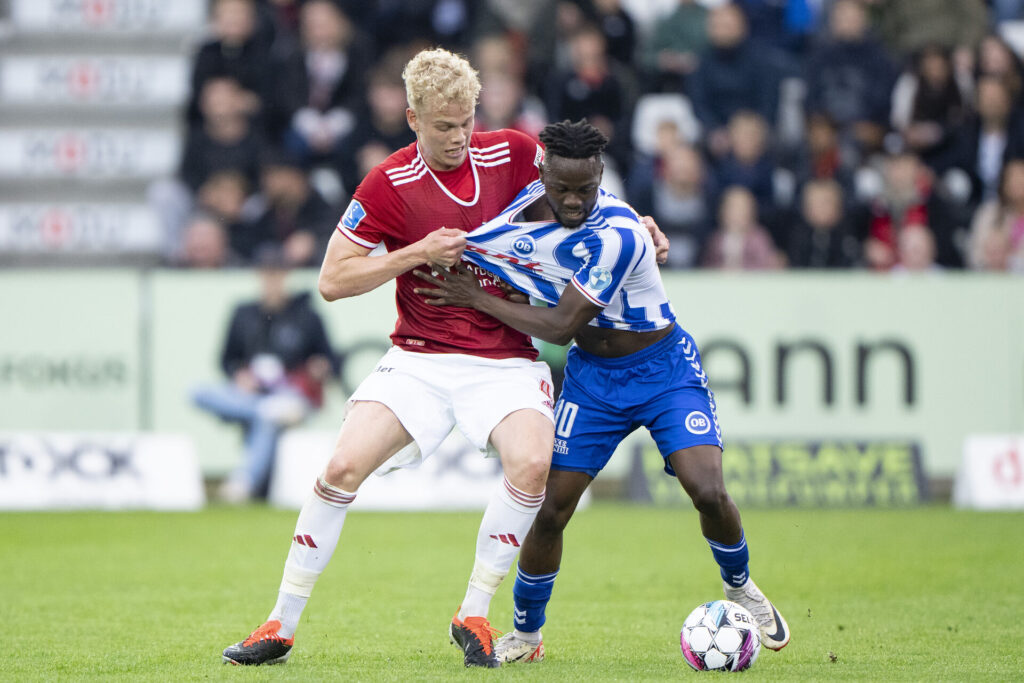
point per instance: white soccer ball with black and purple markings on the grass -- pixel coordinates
(720, 636)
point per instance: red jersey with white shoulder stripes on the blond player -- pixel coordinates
(403, 199)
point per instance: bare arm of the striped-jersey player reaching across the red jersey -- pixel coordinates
(462, 288)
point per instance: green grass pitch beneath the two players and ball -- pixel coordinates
(925, 594)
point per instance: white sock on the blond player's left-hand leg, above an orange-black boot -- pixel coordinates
(316, 538)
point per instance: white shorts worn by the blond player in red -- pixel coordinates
(433, 394)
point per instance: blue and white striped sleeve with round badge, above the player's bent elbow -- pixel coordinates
(615, 253)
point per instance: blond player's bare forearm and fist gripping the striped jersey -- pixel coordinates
(349, 271)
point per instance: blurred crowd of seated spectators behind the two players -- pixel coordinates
(760, 135)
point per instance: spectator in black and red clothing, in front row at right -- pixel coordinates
(911, 197)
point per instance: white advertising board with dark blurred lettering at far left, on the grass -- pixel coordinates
(108, 472)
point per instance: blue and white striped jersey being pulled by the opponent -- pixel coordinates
(610, 259)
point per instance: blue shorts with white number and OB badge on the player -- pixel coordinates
(662, 388)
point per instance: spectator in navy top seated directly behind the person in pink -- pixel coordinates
(749, 163)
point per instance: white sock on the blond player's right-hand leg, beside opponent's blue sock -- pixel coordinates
(506, 522)
